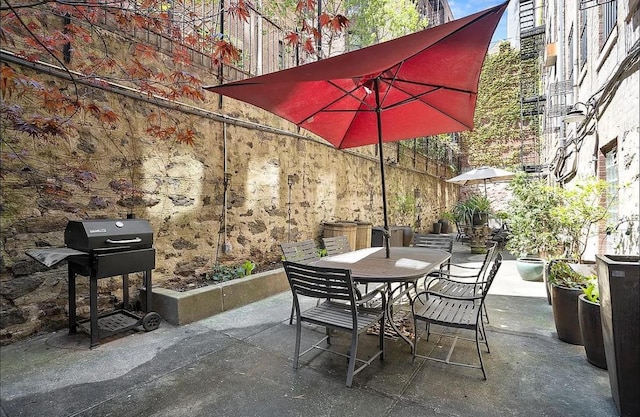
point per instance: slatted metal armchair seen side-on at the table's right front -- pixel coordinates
(456, 312)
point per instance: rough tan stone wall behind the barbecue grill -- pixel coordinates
(110, 172)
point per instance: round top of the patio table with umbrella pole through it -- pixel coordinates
(372, 265)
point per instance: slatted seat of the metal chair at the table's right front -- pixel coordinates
(453, 313)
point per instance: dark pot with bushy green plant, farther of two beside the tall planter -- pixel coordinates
(566, 286)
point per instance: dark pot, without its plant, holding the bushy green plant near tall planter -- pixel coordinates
(564, 302)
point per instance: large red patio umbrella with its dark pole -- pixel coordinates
(421, 84)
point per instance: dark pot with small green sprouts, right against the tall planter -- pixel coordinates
(591, 324)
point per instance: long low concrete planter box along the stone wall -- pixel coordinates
(180, 308)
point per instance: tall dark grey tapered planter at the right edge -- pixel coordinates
(619, 284)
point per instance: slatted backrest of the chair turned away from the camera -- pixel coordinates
(320, 282)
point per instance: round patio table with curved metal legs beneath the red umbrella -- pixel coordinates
(404, 267)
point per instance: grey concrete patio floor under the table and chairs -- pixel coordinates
(239, 363)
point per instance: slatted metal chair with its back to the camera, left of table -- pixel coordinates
(340, 310)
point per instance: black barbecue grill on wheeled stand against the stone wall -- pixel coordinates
(111, 247)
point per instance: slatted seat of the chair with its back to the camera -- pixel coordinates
(338, 315)
